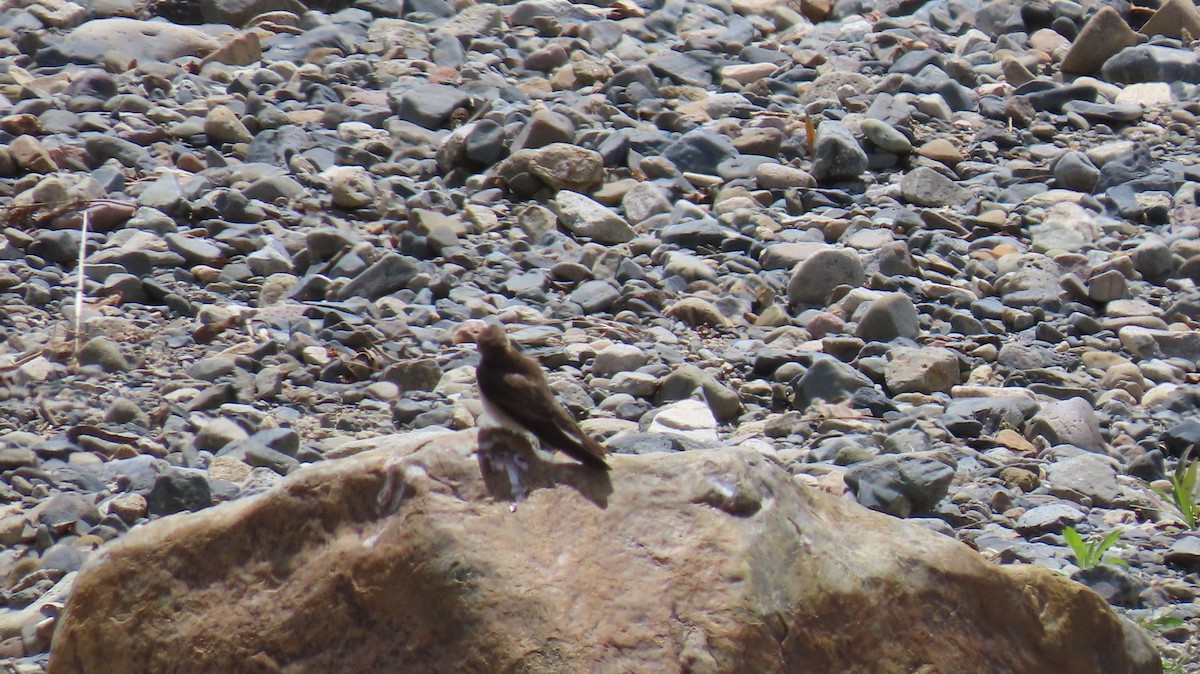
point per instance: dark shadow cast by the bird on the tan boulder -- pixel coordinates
(513, 471)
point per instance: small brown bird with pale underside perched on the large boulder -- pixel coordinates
(517, 396)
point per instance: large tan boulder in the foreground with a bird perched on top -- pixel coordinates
(407, 558)
